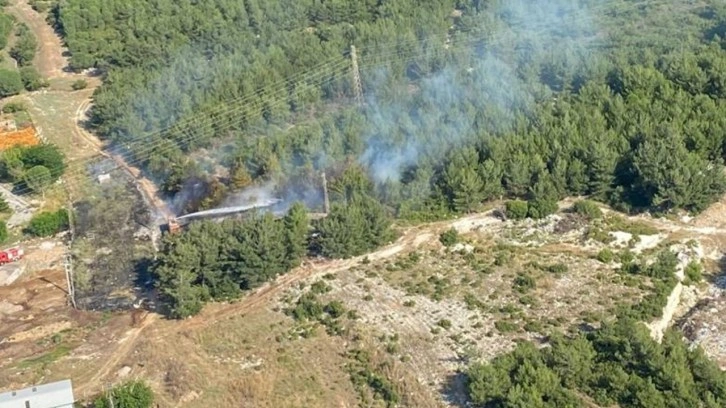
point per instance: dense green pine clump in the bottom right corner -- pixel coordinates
(618, 364)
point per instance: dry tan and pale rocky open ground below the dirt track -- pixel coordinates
(238, 353)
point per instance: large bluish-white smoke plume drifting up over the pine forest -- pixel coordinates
(484, 95)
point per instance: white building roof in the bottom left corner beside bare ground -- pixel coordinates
(52, 395)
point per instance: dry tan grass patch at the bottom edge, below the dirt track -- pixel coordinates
(255, 365)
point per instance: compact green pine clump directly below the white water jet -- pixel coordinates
(217, 260)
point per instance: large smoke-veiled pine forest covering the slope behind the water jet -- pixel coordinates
(464, 100)
